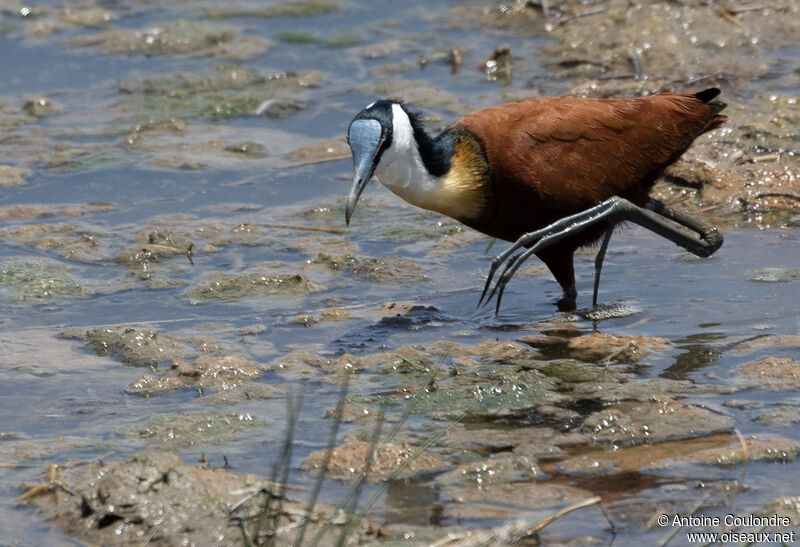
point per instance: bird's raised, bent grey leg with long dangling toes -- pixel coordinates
(612, 210)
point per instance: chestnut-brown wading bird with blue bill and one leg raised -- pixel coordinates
(550, 174)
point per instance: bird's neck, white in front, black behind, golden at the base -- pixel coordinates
(431, 173)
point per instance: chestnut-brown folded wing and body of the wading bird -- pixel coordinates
(555, 156)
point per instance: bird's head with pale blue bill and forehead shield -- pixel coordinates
(369, 135)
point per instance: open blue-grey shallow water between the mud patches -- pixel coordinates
(60, 402)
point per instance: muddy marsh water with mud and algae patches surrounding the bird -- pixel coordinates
(174, 264)
